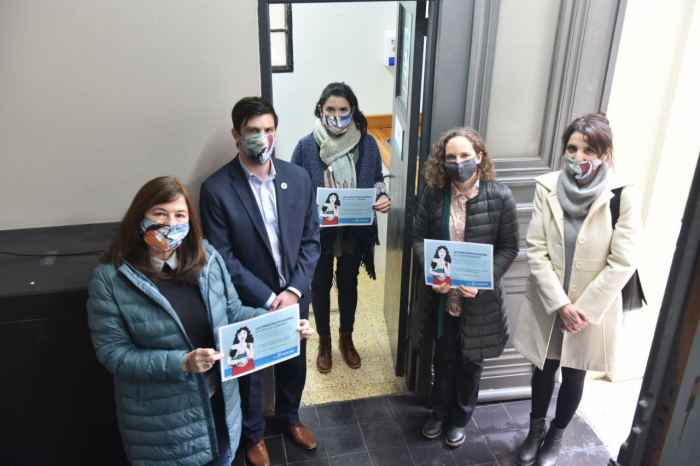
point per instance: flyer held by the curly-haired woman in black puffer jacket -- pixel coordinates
(458, 263)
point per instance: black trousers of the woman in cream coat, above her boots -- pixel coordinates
(570, 392)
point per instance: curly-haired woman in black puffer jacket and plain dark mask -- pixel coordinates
(462, 202)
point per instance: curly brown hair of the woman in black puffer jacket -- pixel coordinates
(435, 165)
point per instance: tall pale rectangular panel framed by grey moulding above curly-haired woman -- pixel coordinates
(522, 66)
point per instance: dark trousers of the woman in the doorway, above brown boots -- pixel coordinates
(347, 270)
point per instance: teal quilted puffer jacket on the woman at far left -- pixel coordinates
(164, 413)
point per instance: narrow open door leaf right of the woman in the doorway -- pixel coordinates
(410, 30)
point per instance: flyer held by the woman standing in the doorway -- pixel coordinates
(343, 207)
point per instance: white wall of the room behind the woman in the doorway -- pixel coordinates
(333, 42)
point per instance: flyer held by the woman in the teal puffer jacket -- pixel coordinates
(253, 344)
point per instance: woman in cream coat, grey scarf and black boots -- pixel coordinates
(572, 312)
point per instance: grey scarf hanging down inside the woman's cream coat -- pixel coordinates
(576, 202)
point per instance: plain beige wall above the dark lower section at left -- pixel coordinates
(96, 98)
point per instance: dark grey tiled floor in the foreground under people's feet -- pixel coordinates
(386, 431)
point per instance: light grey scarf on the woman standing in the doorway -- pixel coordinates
(336, 153)
